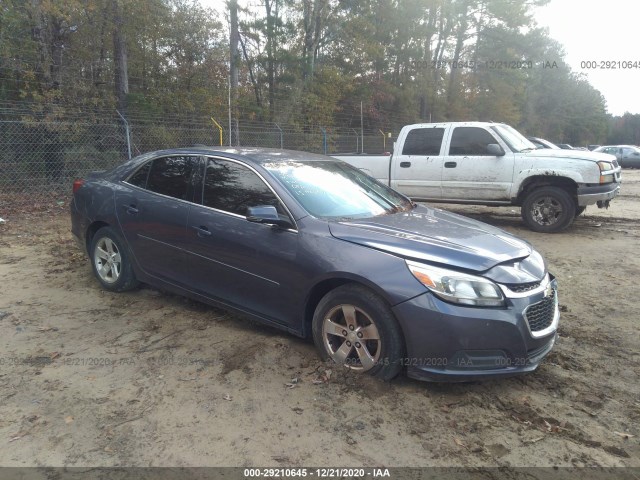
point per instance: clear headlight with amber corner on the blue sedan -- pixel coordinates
(457, 287)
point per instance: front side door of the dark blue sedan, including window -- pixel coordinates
(247, 265)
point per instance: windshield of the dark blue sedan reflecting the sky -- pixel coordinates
(336, 190)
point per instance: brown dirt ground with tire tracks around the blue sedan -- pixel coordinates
(91, 378)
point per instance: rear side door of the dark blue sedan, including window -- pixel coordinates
(152, 208)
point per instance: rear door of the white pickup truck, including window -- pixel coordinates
(416, 170)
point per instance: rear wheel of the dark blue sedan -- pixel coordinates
(110, 261)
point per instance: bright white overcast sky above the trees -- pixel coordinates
(593, 32)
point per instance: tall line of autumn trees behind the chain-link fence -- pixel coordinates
(347, 64)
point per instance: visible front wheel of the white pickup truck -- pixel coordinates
(548, 209)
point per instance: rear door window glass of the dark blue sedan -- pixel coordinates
(171, 176)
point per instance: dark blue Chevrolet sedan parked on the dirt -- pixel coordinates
(315, 247)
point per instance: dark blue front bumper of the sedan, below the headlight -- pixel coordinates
(449, 343)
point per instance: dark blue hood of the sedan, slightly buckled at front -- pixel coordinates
(435, 236)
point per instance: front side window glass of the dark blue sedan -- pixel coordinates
(231, 187)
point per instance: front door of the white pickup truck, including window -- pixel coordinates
(470, 172)
